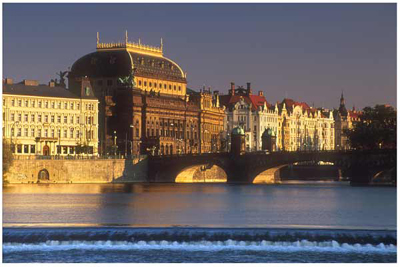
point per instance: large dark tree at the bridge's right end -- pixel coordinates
(376, 128)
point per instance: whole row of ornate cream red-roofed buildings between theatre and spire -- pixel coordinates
(294, 125)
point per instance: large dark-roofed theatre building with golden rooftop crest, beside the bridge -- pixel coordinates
(144, 104)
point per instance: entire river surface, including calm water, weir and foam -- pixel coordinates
(292, 222)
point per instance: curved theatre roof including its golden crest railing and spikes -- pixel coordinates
(119, 59)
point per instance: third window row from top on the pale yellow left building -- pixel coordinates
(26, 132)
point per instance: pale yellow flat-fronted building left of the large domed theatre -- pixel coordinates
(50, 120)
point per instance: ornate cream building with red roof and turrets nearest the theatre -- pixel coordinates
(251, 112)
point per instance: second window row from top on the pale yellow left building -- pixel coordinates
(49, 118)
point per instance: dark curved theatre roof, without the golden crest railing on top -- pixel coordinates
(119, 63)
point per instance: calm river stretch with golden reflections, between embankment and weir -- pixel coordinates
(320, 205)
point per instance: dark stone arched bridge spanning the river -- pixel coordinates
(256, 167)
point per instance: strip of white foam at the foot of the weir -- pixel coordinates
(281, 246)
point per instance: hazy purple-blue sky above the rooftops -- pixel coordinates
(308, 52)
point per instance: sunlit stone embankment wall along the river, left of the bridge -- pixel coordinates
(78, 171)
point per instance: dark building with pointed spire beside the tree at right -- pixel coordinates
(344, 120)
